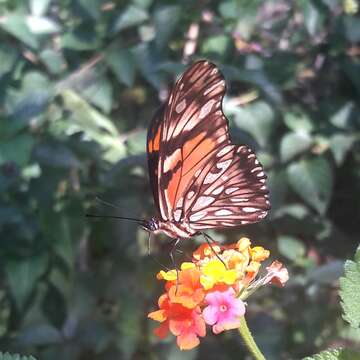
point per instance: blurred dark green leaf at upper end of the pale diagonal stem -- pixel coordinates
(122, 63)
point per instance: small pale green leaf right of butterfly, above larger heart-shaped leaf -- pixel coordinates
(293, 144)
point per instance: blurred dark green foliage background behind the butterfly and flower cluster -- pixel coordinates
(80, 81)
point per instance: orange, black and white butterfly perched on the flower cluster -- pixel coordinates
(200, 180)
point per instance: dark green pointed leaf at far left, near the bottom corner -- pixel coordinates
(22, 275)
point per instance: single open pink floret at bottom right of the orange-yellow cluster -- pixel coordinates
(224, 310)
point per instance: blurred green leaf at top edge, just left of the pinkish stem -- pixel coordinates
(166, 19)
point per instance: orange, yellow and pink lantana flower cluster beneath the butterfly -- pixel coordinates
(211, 290)
